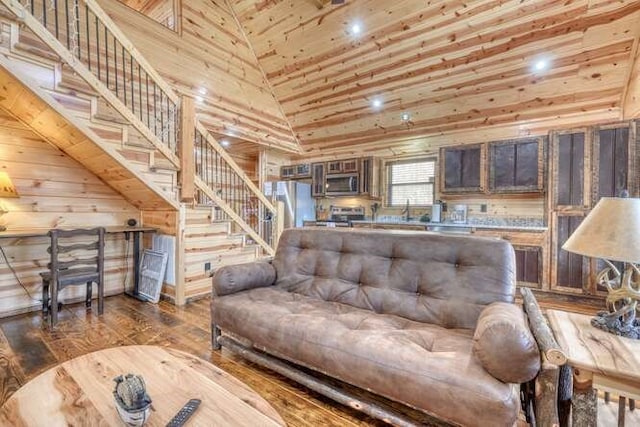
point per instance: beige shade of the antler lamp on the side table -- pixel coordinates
(611, 231)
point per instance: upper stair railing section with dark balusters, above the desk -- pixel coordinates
(86, 38)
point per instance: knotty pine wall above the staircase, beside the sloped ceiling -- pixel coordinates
(212, 62)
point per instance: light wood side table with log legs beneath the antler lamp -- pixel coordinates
(600, 361)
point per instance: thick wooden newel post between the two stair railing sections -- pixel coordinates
(187, 162)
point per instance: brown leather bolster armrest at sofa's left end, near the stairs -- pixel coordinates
(242, 277)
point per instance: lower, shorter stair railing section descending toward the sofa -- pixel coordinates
(219, 180)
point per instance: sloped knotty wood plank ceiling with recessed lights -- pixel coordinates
(451, 65)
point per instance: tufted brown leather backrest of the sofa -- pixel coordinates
(426, 277)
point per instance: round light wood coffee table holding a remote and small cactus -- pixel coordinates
(79, 391)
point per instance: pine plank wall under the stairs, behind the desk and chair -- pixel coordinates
(55, 191)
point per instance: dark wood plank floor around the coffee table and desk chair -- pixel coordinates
(28, 348)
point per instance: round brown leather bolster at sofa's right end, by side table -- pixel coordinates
(504, 344)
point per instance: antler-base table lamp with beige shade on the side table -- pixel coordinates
(611, 232)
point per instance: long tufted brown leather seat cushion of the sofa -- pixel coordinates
(421, 365)
